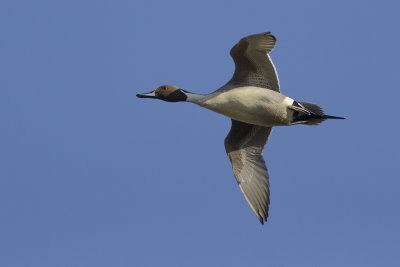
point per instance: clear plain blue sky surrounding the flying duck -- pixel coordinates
(90, 175)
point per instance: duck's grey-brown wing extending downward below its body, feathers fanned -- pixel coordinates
(244, 146)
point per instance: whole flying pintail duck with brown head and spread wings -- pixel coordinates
(253, 101)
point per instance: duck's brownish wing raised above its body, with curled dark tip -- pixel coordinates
(253, 66)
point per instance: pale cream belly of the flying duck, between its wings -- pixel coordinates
(255, 106)
